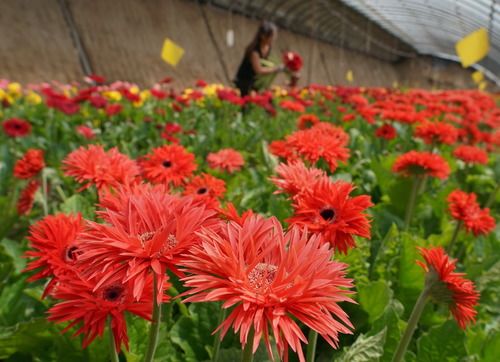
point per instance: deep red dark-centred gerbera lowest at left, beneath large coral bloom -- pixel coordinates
(90, 308)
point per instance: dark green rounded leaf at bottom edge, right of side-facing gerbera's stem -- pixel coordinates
(442, 343)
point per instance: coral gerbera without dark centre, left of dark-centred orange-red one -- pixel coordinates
(101, 168)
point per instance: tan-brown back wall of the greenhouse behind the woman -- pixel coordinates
(123, 40)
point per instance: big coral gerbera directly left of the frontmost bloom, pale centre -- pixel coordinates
(147, 233)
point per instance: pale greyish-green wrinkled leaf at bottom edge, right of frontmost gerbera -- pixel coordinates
(365, 348)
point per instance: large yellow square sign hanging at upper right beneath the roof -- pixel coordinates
(473, 47)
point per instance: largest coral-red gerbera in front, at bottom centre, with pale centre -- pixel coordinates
(270, 279)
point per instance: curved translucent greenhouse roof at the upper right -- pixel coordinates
(387, 29)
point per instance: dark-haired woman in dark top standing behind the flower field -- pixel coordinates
(258, 49)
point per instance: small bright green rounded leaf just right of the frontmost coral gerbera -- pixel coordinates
(374, 297)
